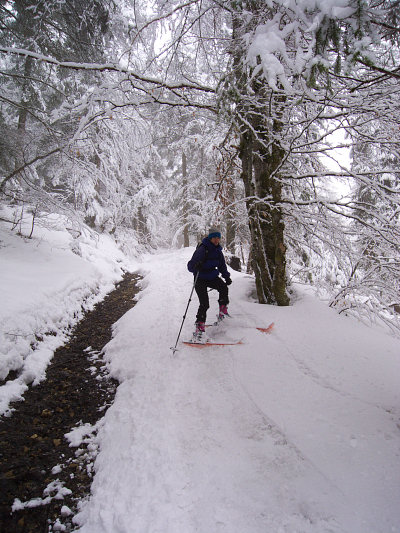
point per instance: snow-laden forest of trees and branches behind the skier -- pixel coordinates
(151, 121)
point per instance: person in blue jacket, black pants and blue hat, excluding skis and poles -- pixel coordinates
(208, 261)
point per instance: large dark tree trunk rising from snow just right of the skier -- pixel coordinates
(258, 118)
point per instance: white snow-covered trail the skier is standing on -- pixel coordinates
(297, 431)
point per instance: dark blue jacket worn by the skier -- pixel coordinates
(212, 263)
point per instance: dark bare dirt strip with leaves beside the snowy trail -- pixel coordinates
(37, 463)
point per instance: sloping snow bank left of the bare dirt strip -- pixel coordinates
(46, 284)
